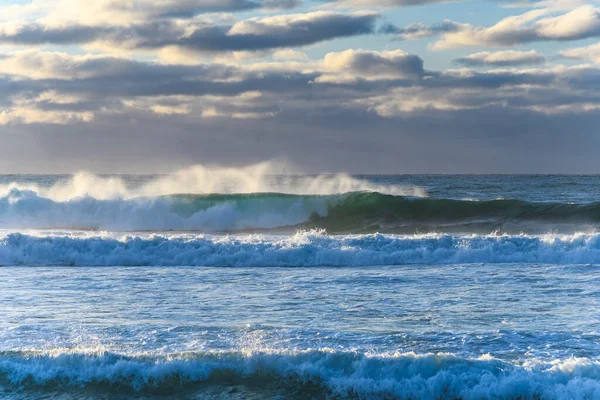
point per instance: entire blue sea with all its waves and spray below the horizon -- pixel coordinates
(241, 283)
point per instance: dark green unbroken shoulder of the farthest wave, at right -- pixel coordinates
(387, 213)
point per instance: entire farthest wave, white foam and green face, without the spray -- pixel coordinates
(356, 212)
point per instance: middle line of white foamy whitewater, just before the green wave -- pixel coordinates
(304, 249)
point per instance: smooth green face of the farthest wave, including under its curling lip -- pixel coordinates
(362, 212)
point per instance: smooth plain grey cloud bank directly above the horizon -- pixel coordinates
(492, 140)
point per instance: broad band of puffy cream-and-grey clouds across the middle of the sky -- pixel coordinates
(53, 87)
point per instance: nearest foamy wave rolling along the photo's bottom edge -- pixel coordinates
(339, 374)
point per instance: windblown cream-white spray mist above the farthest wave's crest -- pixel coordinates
(266, 177)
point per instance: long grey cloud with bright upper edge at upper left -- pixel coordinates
(254, 34)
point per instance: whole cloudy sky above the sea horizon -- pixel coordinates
(358, 86)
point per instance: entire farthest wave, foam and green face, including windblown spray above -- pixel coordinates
(236, 199)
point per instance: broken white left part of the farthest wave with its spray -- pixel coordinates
(200, 198)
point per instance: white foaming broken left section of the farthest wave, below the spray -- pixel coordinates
(23, 209)
